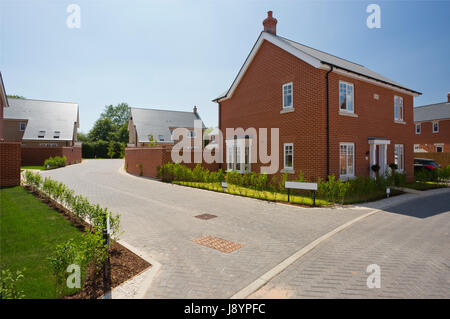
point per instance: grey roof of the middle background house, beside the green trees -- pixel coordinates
(159, 122)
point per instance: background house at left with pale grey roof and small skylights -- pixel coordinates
(44, 128)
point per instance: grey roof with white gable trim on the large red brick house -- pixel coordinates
(316, 58)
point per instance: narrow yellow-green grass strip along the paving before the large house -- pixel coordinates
(243, 191)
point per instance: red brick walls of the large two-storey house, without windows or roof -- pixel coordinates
(257, 102)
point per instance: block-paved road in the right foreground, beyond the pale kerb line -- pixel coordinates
(410, 242)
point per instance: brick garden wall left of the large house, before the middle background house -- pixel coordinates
(145, 160)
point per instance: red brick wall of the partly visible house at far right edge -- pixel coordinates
(427, 139)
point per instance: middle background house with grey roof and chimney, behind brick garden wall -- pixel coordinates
(160, 124)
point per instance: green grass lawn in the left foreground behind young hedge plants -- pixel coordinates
(29, 232)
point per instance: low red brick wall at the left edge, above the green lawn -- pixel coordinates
(9, 164)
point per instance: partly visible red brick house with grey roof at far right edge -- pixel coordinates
(432, 127)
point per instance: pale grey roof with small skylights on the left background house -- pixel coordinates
(45, 116)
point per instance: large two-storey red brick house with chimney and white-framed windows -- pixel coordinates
(334, 116)
